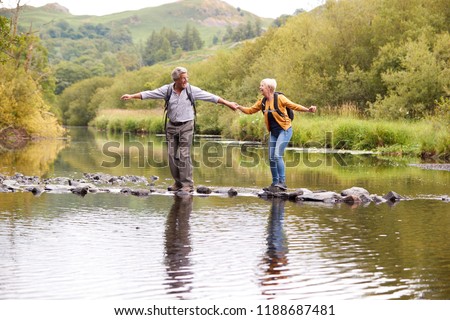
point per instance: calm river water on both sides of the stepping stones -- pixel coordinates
(62, 246)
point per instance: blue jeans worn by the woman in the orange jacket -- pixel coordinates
(277, 145)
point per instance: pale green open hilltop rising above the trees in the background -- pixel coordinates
(210, 17)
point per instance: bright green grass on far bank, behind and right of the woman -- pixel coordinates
(419, 139)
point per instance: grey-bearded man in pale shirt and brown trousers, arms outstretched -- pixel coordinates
(180, 127)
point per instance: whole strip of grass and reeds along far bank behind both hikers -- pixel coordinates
(426, 139)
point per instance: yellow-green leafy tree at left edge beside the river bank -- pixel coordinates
(24, 73)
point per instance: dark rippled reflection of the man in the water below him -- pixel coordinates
(178, 247)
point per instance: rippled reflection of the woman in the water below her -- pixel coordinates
(275, 260)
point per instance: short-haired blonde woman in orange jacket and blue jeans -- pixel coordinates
(279, 125)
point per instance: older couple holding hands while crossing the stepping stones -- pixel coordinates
(180, 127)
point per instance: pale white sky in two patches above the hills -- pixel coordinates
(262, 8)
